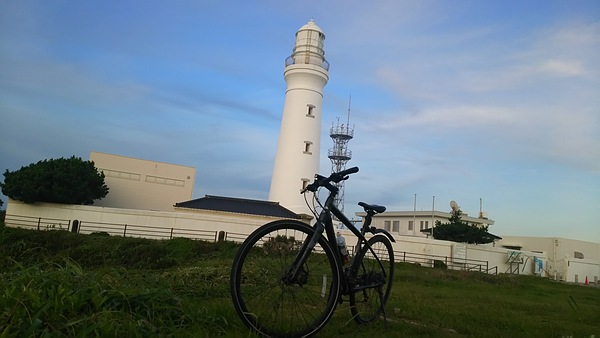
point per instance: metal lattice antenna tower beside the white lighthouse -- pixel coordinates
(340, 154)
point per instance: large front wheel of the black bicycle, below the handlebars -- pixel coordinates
(269, 303)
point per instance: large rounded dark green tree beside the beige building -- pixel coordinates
(67, 181)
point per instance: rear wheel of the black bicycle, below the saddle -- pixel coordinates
(366, 304)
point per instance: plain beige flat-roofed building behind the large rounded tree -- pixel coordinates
(142, 184)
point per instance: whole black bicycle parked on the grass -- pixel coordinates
(288, 277)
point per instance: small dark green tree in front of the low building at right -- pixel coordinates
(457, 230)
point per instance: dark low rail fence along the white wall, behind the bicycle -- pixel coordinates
(146, 231)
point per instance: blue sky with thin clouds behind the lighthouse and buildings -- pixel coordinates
(461, 100)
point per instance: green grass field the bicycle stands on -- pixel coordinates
(61, 284)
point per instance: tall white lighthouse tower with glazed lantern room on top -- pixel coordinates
(298, 150)
